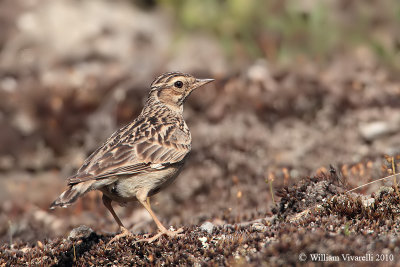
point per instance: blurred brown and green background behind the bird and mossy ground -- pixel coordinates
(300, 86)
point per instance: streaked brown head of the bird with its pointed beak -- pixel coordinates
(173, 88)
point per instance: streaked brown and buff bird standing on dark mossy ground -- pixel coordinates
(143, 157)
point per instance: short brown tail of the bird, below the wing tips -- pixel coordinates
(70, 195)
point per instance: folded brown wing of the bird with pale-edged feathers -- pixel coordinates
(130, 154)
